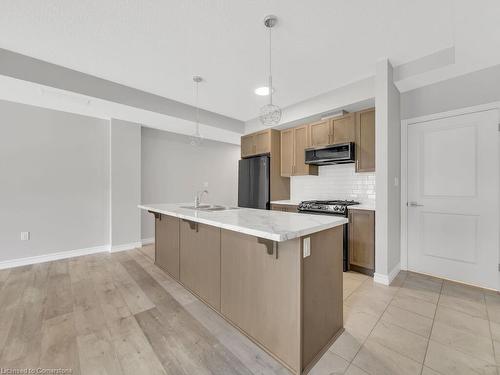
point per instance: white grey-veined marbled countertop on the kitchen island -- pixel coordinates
(272, 225)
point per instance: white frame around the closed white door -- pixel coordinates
(404, 162)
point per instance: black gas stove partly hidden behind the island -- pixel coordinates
(332, 207)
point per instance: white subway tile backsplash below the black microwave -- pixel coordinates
(334, 182)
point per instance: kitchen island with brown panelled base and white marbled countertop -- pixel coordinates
(275, 276)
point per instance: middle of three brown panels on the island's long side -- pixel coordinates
(200, 260)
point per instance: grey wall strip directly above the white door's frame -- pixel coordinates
(475, 88)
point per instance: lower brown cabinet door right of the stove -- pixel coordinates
(362, 239)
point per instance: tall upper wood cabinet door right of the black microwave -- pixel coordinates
(365, 141)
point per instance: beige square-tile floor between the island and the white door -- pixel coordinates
(418, 325)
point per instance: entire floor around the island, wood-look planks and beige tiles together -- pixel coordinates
(120, 314)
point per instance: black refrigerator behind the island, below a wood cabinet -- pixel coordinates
(253, 182)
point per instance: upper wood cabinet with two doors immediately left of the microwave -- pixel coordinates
(293, 144)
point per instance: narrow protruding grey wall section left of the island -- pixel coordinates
(125, 182)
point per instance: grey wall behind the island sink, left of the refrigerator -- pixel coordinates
(173, 170)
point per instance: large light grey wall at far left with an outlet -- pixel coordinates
(54, 181)
